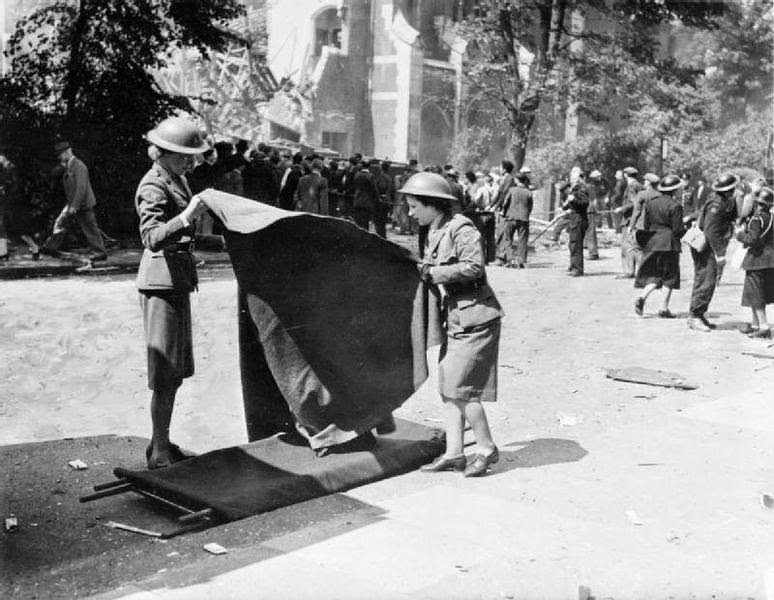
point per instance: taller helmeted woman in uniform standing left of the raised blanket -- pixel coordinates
(167, 275)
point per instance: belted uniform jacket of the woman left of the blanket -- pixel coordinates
(160, 198)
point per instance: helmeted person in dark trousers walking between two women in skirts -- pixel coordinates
(715, 219)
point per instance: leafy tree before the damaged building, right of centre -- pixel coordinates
(585, 55)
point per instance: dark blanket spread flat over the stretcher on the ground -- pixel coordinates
(245, 480)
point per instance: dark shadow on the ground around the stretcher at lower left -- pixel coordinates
(62, 550)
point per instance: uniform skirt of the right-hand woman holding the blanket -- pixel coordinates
(468, 367)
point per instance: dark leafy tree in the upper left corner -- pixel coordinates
(85, 70)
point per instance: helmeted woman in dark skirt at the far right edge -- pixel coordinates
(758, 237)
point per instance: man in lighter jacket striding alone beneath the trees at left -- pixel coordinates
(79, 207)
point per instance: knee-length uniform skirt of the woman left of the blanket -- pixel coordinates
(167, 323)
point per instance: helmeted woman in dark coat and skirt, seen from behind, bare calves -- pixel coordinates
(660, 233)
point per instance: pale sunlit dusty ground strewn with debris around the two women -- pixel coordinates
(579, 450)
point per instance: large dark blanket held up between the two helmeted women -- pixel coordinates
(325, 319)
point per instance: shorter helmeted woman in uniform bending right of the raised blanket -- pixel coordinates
(467, 373)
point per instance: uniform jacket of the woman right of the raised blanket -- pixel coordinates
(456, 251)
